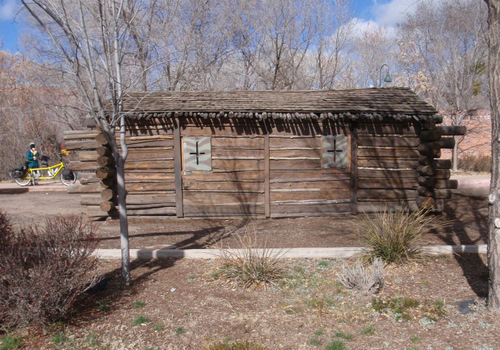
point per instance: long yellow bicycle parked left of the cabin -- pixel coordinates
(25, 176)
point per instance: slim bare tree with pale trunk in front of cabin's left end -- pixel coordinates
(92, 44)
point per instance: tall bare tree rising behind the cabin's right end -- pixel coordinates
(443, 56)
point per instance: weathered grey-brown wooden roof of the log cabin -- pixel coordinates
(372, 103)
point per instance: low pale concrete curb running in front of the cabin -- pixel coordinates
(291, 253)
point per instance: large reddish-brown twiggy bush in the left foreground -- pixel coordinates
(44, 269)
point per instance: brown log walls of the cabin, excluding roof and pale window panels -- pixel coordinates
(269, 168)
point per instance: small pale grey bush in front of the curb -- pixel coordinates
(363, 278)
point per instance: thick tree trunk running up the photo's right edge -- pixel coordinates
(494, 197)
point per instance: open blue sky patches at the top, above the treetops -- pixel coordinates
(385, 13)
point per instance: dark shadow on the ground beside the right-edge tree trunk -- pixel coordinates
(464, 214)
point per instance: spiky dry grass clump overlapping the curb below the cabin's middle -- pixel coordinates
(250, 266)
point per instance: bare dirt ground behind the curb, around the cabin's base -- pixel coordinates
(464, 222)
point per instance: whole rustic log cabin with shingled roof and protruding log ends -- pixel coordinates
(269, 154)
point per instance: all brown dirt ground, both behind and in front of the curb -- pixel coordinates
(432, 303)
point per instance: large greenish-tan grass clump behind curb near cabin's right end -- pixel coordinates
(393, 236)
